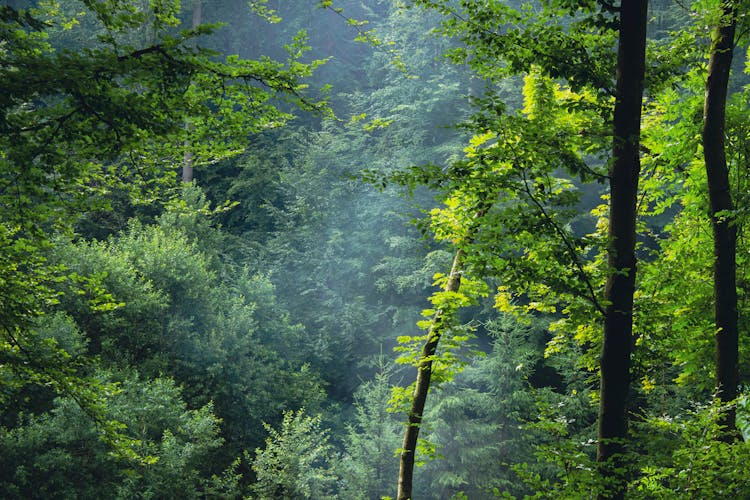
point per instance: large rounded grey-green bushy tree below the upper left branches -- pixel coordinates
(230, 343)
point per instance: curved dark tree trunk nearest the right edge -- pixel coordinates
(721, 205)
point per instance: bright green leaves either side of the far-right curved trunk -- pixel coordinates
(675, 296)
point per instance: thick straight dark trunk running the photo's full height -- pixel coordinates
(618, 321)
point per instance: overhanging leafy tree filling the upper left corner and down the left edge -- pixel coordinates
(78, 124)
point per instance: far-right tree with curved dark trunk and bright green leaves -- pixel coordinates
(698, 269)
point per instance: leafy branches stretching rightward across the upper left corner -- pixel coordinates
(93, 106)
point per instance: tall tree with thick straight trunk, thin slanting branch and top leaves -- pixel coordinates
(520, 40)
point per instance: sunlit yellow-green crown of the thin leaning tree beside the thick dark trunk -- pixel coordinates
(532, 235)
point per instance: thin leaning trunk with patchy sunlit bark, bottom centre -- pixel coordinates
(422, 387)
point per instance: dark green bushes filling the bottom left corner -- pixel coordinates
(60, 454)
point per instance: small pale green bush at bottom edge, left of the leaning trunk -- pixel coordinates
(296, 461)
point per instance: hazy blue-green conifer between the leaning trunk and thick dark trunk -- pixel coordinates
(477, 422)
